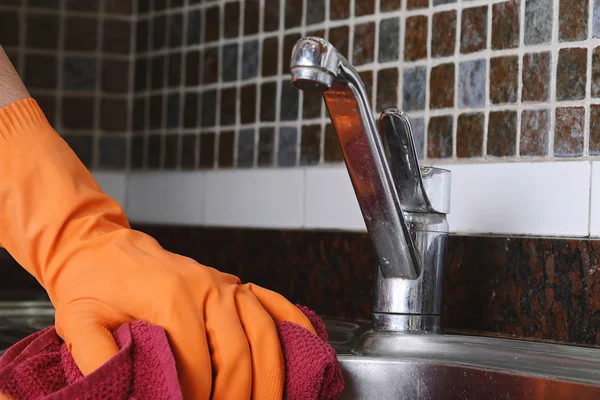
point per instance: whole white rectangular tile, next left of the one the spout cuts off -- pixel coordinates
(270, 198)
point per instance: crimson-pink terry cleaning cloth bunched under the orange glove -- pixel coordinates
(41, 367)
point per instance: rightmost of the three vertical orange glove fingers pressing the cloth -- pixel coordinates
(268, 369)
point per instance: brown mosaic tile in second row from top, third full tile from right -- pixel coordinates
(504, 76)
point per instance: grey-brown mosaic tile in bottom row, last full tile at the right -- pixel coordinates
(568, 134)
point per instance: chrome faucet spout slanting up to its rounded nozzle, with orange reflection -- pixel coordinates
(317, 66)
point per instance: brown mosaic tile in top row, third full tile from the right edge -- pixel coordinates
(505, 25)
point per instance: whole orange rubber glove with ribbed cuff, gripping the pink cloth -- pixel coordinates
(59, 225)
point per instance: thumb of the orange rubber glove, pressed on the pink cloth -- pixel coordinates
(90, 343)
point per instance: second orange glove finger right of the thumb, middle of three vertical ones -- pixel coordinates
(231, 361)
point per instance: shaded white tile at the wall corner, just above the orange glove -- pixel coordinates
(166, 197)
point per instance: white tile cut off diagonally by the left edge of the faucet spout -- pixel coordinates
(330, 200)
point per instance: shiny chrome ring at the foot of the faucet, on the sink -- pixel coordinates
(407, 323)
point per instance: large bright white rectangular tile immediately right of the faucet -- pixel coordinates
(520, 198)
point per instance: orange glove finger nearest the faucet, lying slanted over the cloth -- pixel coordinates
(279, 308)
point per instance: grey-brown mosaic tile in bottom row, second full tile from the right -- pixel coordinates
(535, 125)
